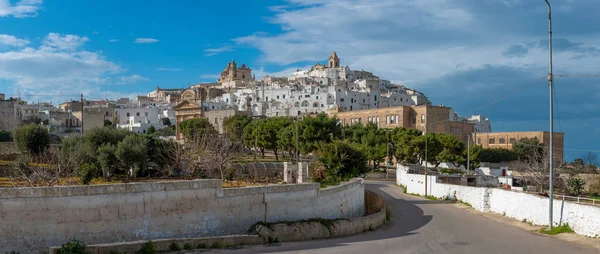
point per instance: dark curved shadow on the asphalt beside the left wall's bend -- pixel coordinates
(406, 217)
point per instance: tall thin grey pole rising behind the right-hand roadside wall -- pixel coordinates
(550, 81)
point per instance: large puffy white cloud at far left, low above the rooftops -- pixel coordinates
(60, 64)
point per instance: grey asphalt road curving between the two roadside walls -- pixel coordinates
(425, 226)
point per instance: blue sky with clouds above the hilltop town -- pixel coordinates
(460, 53)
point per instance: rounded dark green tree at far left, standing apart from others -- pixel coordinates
(32, 138)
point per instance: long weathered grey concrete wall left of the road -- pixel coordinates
(32, 219)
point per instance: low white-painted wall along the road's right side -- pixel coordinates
(521, 206)
